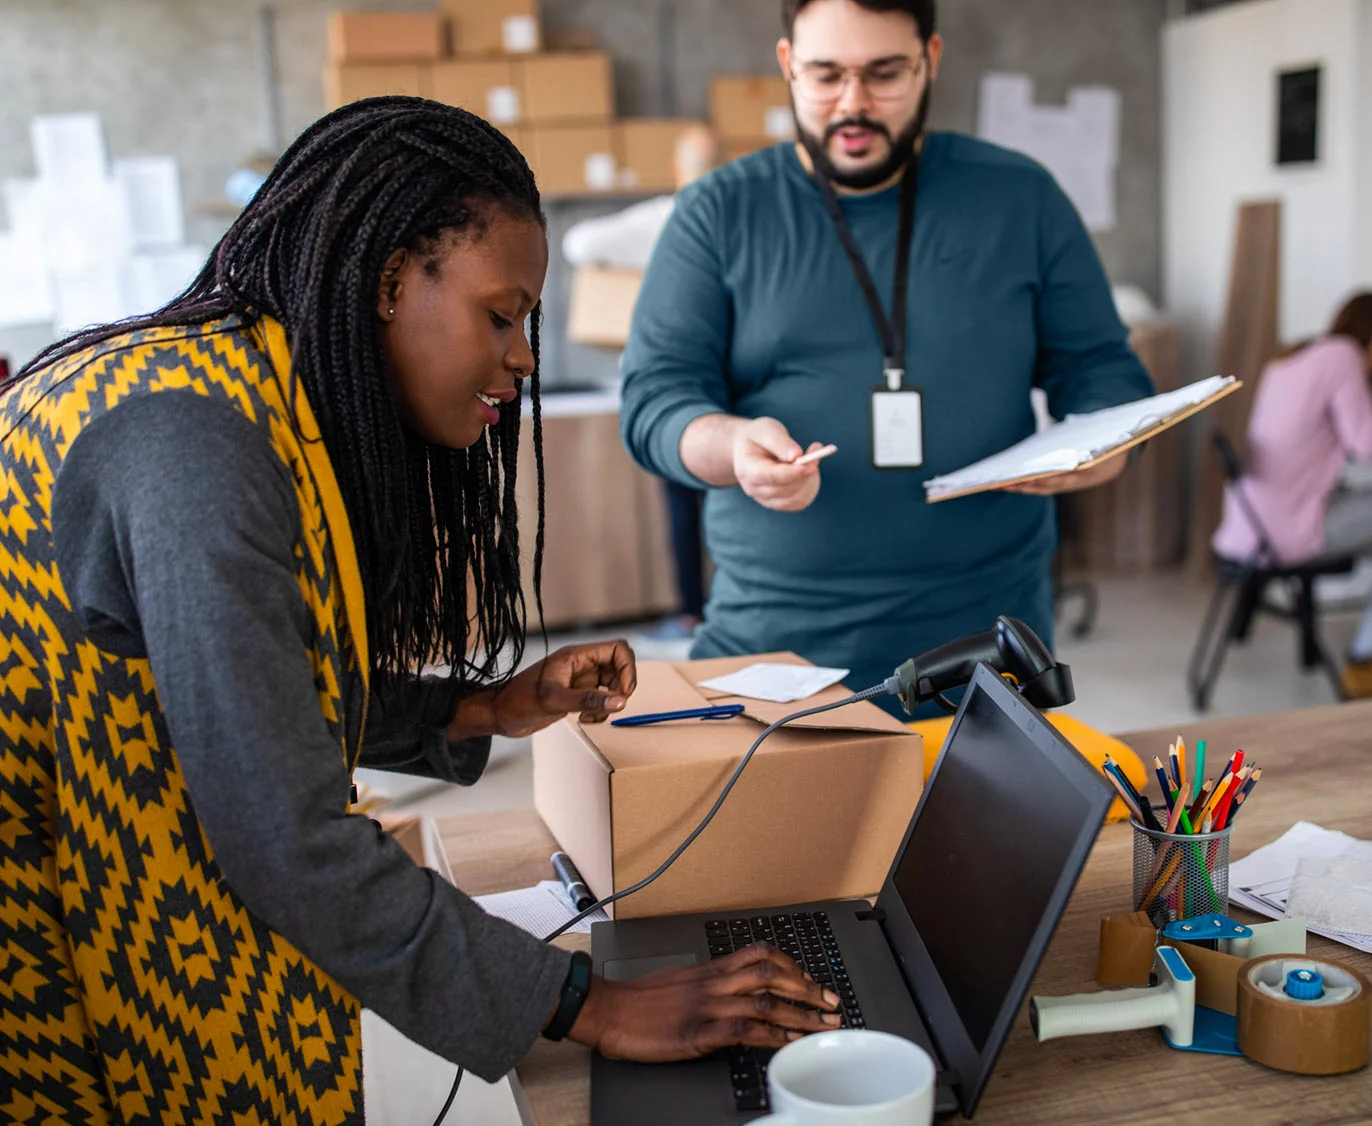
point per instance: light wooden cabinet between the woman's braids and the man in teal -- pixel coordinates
(607, 553)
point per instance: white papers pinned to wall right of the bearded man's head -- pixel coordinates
(1079, 143)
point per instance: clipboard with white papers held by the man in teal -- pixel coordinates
(1082, 441)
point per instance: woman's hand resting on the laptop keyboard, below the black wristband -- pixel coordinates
(696, 1010)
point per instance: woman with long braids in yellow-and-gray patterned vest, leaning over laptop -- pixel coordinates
(230, 533)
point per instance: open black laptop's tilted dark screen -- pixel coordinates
(1001, 836)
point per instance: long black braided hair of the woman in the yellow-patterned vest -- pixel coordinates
(436, 529)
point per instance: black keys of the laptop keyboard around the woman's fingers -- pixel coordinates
(807, 939)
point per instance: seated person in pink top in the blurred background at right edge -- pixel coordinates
(1311, 418)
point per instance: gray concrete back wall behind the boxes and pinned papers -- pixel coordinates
(183, 77)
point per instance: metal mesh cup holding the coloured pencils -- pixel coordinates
(1178, 876)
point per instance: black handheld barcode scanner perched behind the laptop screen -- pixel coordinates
(1010, 648)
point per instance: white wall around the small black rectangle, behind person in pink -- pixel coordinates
(1220, 130)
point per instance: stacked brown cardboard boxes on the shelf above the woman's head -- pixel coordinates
(486, 57)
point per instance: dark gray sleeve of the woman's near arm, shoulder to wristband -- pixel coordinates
(175, 527)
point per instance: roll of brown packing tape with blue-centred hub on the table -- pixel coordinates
(1304, 1016)
